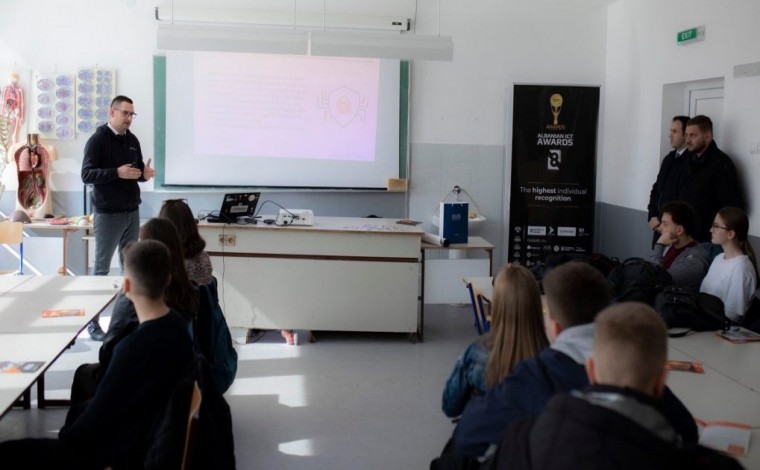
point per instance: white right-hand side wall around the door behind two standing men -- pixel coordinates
(642, 56)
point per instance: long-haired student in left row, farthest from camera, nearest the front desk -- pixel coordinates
(197, 261)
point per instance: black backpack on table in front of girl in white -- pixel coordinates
(684, 308)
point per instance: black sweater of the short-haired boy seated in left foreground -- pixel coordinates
(115, 427)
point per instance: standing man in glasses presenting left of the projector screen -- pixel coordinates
(113, 165)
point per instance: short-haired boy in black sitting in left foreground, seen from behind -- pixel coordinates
(115, 429)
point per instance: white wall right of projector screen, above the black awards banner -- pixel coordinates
(498, 43)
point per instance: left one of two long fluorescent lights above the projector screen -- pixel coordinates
(231, 39)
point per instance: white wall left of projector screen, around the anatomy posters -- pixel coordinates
(63, 36)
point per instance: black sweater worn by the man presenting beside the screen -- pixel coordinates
(104, 153)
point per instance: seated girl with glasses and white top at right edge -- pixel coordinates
(733, 274)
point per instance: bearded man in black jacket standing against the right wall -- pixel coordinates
(709, 181)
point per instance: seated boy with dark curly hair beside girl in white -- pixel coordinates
(676, 250)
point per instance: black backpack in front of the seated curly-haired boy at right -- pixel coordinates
(638, 280)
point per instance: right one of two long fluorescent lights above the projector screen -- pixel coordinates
(408, 47)
